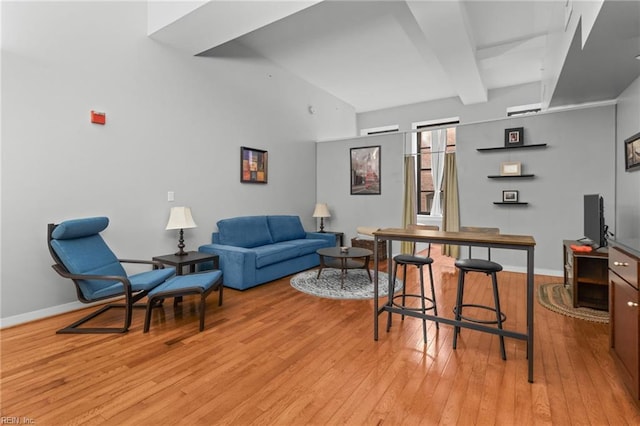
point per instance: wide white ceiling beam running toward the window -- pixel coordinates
(445, 27)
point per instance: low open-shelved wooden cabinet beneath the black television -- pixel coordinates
(587, 275)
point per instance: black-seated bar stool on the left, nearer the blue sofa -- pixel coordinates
(419, 262)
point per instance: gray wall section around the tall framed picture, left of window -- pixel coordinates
(333, 185)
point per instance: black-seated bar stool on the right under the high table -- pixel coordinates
(489, 268)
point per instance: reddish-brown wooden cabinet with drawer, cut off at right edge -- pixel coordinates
(625, 316)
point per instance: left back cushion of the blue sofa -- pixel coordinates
(245, 231)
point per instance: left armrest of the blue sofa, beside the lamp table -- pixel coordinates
(238, 264)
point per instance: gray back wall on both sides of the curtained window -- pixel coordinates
(578, 160)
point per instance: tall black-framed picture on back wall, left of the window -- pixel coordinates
(365, 170)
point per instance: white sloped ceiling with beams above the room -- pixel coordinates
(379, 54)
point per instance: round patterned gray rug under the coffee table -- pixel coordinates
(356, 284)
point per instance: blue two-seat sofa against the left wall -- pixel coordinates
(256, 249)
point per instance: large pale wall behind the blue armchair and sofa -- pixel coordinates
(174, 123)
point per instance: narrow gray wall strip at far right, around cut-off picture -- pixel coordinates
(627, 227)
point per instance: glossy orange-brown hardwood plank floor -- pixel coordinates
(273, 355)
